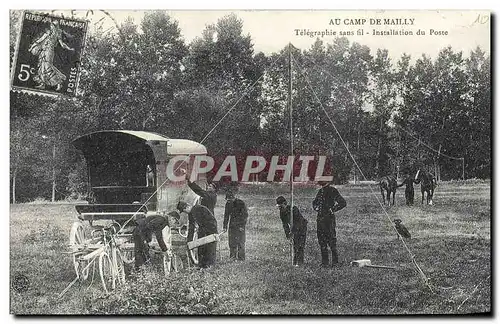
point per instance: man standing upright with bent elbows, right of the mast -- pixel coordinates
(328, 200)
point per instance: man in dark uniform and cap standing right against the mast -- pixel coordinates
(297, 231)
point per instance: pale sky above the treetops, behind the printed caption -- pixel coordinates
(272, 30)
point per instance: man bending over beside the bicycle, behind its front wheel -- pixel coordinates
(143, 235)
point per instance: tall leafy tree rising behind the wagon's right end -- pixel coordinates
(221, 63)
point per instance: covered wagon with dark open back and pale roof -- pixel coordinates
(128, 179)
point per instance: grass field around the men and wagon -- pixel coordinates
(451, 242)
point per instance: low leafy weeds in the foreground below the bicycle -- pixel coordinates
(191, 292)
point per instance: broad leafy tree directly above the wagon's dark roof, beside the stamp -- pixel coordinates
(131, 78)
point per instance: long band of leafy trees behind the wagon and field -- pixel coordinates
(392, 113)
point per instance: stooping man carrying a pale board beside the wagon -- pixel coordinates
(207, 224)
